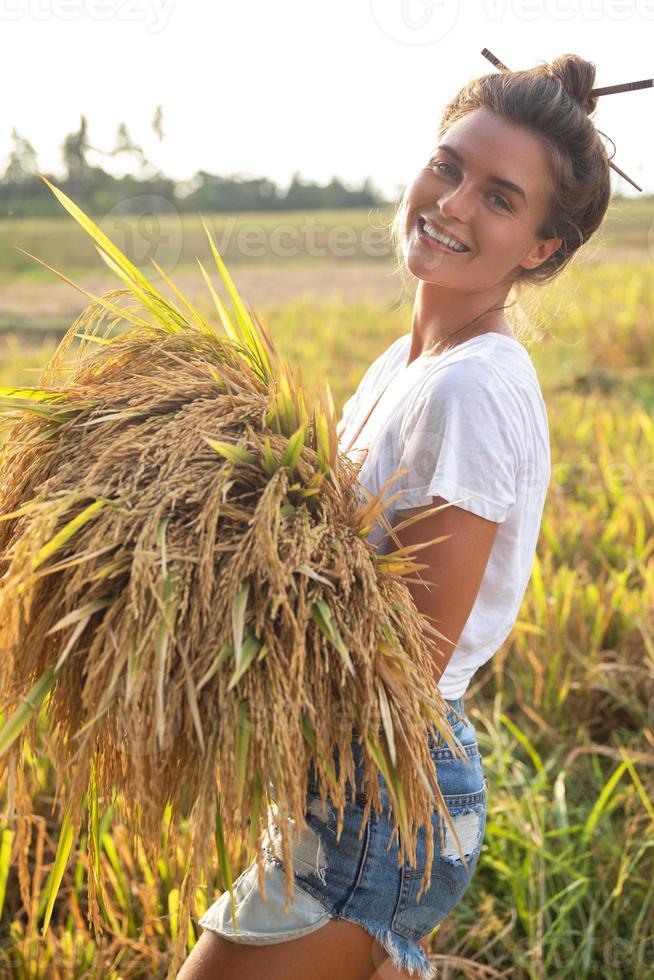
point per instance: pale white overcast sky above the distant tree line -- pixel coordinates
(352, 88)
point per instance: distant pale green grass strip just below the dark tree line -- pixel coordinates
(296, 237)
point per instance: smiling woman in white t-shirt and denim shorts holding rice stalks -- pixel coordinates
(518, 182)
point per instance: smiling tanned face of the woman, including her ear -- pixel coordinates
(486, 185)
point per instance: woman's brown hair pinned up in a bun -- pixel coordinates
(553, 101)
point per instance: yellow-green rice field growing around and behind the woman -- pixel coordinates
(565, 711)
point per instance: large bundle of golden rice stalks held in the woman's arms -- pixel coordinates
(189, 591)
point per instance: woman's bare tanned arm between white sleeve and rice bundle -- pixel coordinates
(456, 567)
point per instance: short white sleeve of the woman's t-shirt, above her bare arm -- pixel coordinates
(462, 439)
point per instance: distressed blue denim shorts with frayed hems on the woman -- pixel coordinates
(359, 879)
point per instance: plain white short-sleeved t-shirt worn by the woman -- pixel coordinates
(470, 422)
